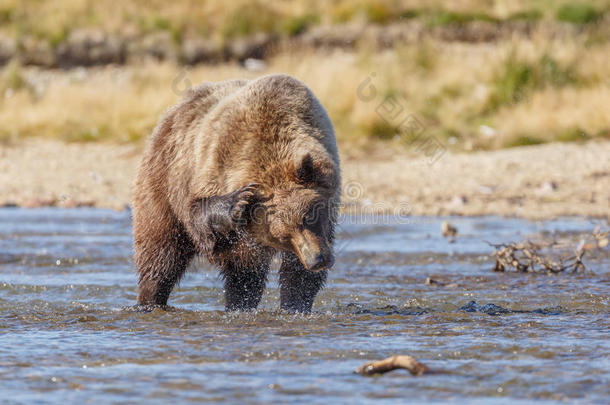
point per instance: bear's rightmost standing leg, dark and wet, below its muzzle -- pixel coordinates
(298, 286)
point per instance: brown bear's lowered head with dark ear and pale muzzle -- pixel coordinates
(298, 213)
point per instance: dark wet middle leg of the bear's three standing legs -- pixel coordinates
(244, 286)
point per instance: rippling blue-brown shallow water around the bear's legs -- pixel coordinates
(65, 276)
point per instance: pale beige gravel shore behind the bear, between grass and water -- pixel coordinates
(543, 181)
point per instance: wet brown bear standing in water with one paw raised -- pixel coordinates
(239, 171)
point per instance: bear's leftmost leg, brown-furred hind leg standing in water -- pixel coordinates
(161, 257)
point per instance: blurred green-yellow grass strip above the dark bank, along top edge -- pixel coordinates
(53, 21)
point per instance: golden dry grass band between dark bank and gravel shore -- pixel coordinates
(470, 96)
